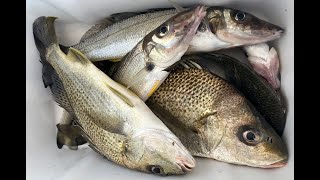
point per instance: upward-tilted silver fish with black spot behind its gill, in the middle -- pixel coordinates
(143, 69)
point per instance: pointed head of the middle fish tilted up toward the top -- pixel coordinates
(166, 44)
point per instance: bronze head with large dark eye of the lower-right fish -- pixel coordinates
(248, 139)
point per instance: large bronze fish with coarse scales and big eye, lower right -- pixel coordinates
(213, 119)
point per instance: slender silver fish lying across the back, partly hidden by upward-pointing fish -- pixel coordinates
(113, 37)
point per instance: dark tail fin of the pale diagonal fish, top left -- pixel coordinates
(44, 33)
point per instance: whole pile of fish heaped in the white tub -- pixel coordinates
(145, 90)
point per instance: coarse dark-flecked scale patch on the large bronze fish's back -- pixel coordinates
(187, 97)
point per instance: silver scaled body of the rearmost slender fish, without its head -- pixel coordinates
(115, 43)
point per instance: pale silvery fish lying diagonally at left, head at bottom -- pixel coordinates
(114, 121)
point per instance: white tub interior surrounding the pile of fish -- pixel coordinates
(46, 161)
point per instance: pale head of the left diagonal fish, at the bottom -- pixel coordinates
(158, 152)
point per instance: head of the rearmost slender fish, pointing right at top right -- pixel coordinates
(240, 28)
